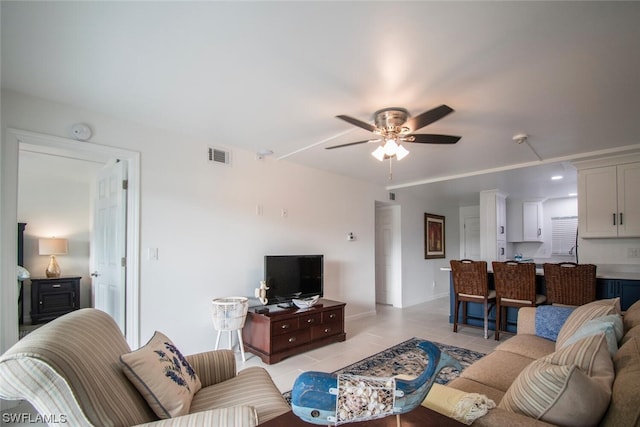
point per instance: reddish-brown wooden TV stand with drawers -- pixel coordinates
(284, 332)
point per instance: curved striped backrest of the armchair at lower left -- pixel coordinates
(70, 368)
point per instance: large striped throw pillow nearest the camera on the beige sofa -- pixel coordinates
(571, 387)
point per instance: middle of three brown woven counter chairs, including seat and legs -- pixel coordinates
(515, 285)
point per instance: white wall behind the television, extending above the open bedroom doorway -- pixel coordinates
(202, 218)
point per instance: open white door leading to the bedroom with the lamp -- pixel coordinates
(109, 242)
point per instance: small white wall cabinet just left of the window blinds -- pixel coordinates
(524, 222)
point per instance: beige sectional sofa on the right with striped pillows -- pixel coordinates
(608, 396)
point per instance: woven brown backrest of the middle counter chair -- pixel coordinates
(514, 280)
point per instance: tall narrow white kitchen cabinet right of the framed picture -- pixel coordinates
(493, 225)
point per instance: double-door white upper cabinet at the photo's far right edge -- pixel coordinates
(608, 197)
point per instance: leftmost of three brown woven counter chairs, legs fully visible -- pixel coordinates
(470, 284)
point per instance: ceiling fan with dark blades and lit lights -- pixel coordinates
(395, 125)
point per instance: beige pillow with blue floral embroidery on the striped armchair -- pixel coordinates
(163, 376)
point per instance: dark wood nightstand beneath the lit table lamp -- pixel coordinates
(53, 297)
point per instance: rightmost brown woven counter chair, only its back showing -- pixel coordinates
(569, 283)
